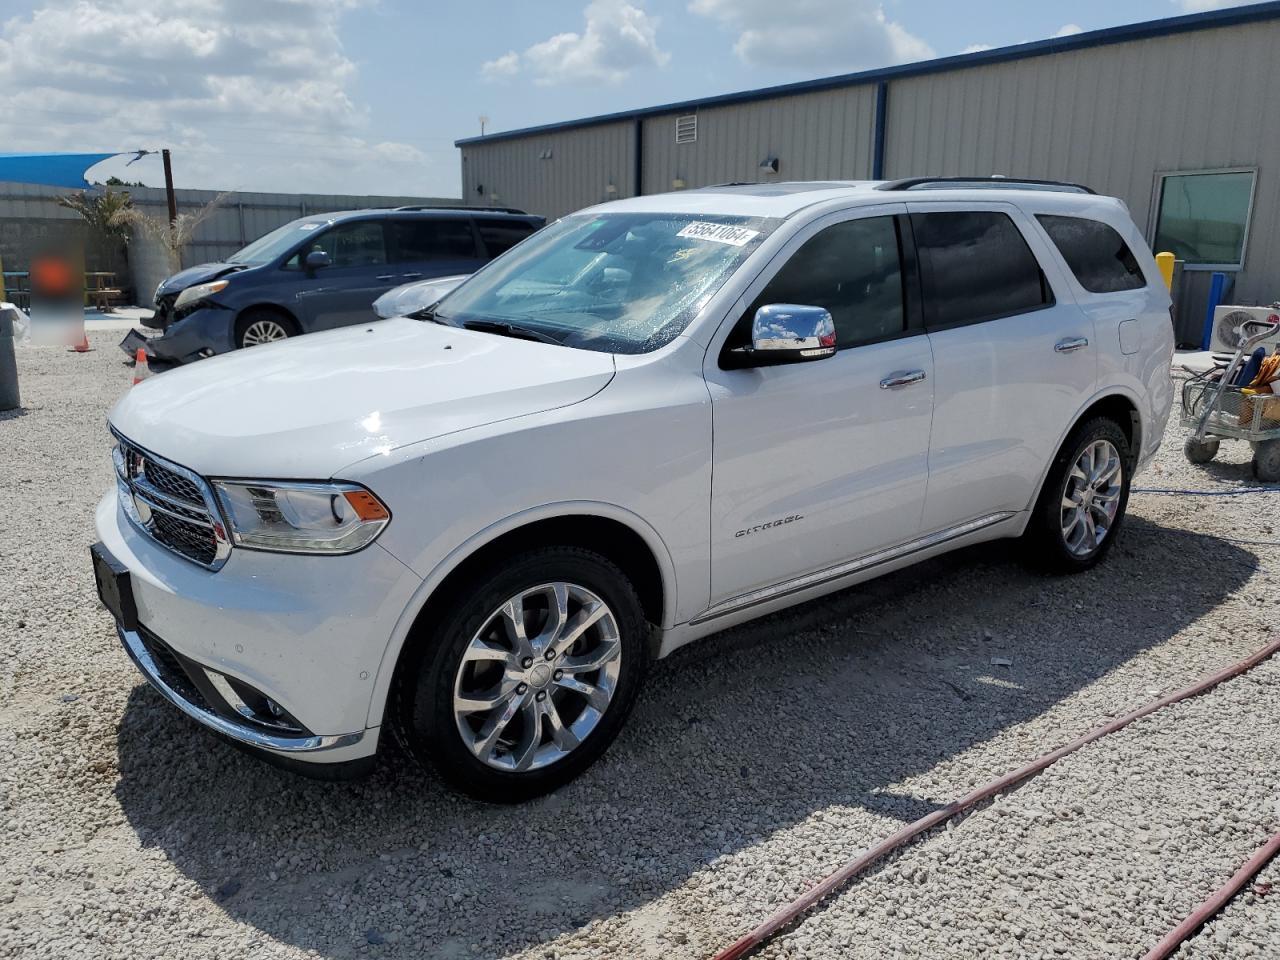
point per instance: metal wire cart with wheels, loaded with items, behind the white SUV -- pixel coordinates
(1217, 410)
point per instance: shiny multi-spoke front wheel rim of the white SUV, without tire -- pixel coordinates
(538, 678)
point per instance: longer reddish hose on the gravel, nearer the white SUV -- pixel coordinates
(788, 915)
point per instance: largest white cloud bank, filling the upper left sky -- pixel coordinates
(248, 94)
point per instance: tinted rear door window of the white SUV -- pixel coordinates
(976, 266)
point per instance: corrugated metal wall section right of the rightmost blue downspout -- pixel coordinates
(1112, 117)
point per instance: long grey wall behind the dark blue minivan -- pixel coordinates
(30, 218)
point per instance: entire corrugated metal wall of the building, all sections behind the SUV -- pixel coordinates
(1112, 116)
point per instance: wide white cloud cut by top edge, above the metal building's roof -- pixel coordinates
(815, 35)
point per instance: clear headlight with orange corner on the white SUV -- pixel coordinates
(301, 518)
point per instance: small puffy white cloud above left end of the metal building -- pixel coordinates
(618, 38)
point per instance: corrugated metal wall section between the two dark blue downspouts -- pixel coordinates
(819, 136)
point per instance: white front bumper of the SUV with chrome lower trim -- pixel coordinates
(308, 633)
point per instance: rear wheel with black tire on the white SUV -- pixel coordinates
(1049, 542)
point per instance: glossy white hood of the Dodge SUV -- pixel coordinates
(308, 408)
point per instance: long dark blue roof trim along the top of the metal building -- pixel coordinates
(1149, 30)
